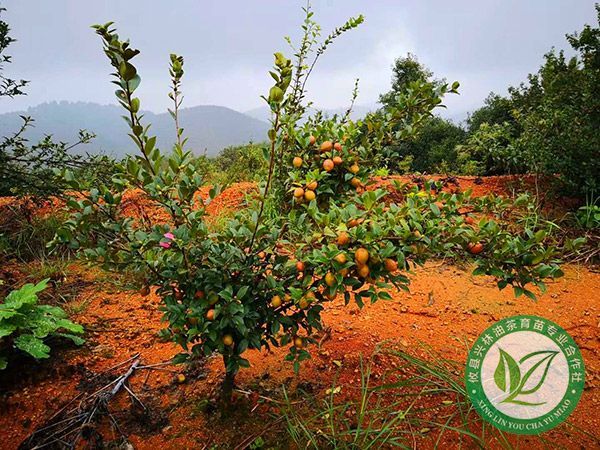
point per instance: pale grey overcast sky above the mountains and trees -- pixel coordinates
(228, 46)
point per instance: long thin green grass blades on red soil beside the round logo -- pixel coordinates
(421, 402)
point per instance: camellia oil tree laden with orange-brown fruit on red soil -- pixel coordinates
(316, 231)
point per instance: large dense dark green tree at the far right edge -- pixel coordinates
(549, 124)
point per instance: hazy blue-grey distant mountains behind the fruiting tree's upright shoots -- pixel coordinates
(208, 128)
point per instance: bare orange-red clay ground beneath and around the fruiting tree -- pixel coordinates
(447, 309)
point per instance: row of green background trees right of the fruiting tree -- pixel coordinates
(549, 124)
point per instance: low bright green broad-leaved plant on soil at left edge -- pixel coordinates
(25, 325)
